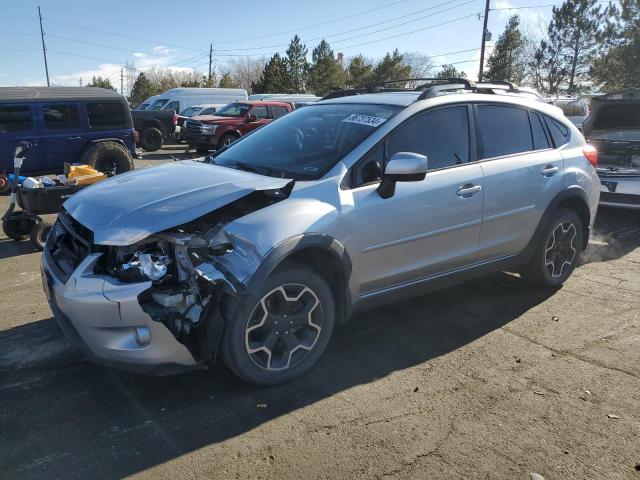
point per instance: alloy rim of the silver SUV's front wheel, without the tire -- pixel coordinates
(283, 327)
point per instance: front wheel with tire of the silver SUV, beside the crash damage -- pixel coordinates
(284, 331)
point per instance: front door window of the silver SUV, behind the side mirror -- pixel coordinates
(442, 135)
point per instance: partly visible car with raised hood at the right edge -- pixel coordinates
(614, 129)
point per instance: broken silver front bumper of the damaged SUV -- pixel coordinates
(103, 317)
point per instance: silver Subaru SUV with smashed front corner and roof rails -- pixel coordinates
(255, 253)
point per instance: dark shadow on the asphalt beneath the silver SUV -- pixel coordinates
(65, 417)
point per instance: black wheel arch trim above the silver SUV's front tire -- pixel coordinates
(331, 269)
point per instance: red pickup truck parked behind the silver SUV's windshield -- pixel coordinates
(212, 132)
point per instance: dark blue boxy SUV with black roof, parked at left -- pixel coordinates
(66, 125)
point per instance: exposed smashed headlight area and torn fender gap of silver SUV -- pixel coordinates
(196, 270)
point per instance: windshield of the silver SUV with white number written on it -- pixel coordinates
(306, 143)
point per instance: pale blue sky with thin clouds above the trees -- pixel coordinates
(177, 34)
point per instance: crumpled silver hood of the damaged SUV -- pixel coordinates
(127, 208)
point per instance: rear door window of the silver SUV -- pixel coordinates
(503, 131)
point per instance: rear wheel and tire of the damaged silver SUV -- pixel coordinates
(556, 256)
